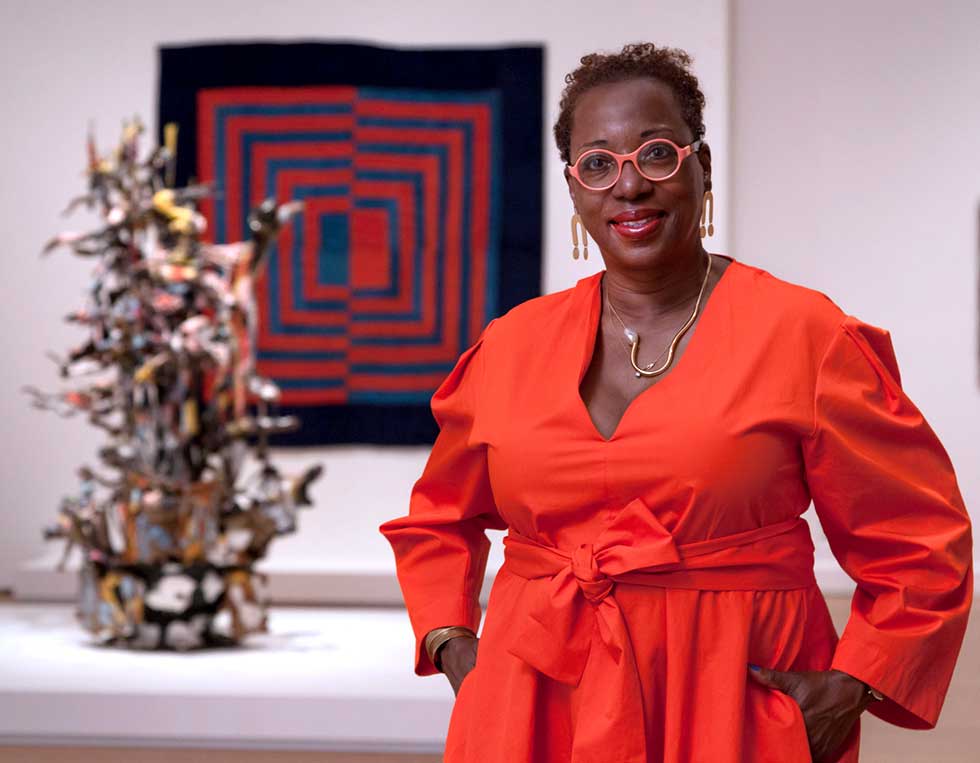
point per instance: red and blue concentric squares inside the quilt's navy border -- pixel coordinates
(391, 270)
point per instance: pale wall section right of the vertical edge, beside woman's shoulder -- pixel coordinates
(856, 146)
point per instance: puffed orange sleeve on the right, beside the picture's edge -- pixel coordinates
(887, 498)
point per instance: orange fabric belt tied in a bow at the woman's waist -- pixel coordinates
(570, 601)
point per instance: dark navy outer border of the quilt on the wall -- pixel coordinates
(517, 73)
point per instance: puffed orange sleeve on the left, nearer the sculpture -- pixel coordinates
(441, 546)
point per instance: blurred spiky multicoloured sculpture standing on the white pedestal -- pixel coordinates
(185, 498)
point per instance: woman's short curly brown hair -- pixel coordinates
(642, 60)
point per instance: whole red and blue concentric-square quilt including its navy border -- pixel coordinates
(421, 177)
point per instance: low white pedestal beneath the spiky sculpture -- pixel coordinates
(322, 679)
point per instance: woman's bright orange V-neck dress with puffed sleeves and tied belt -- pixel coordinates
(642, 573)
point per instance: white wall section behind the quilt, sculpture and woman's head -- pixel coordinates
(63, 64)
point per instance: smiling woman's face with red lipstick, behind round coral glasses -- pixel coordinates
(623, 219)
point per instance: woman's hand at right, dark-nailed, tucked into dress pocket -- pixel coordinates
(831, 702)
